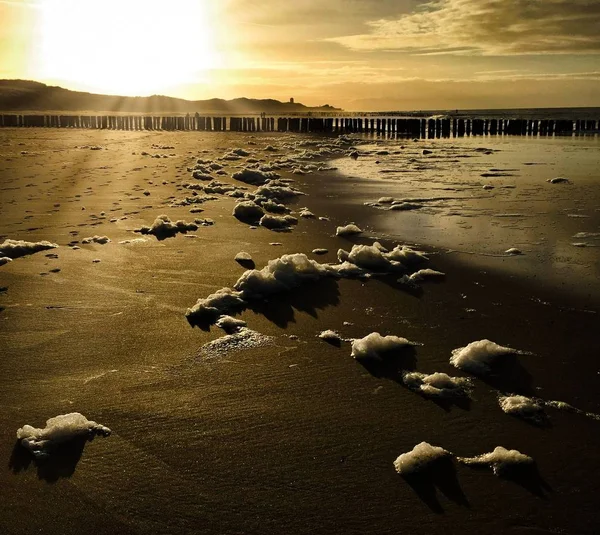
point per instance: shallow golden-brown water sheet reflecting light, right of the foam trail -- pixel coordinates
(453, 211)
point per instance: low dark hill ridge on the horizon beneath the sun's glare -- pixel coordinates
(26, 95)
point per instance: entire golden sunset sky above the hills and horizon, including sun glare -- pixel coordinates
(355, 54)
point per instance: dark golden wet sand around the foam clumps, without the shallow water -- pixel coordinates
(295, 436)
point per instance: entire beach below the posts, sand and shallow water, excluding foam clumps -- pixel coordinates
(277, 430)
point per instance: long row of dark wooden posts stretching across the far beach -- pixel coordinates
(415, 127)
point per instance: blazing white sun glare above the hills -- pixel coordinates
(128, 47)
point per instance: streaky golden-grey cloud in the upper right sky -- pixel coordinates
(487, 27)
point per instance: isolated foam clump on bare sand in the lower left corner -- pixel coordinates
(58, 430)
